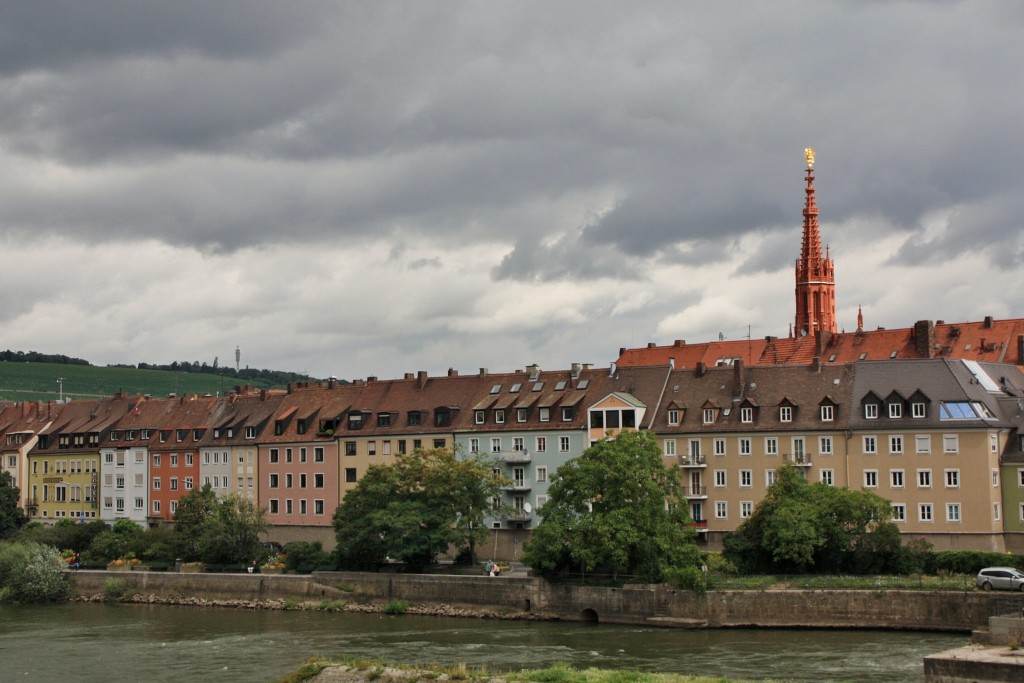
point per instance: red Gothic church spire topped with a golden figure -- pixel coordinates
(816, 275)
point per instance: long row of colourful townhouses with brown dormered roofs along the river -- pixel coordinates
(941, 439)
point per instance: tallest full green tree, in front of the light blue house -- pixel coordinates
(617, 508)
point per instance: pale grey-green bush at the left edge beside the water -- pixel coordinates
(32, 573)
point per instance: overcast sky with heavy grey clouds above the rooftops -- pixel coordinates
(359, 189)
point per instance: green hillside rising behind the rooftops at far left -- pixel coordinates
(38, 381)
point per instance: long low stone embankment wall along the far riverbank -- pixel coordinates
(656, 605)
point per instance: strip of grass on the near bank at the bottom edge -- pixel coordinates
(560, 673)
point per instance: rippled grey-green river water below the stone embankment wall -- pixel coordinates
(92, 643)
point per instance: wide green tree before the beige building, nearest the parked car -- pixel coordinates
(800, 528)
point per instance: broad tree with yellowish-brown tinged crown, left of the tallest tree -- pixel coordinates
(414, 509)
